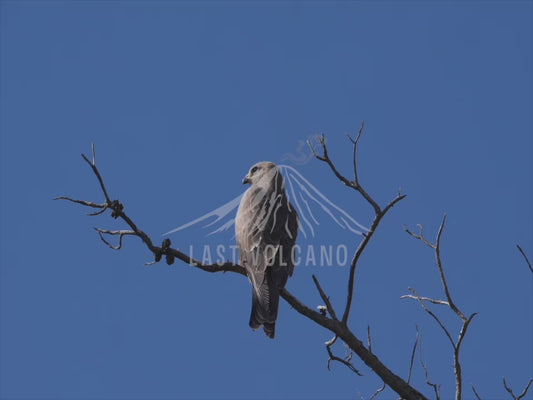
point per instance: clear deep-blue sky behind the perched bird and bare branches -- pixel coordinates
(181, 98)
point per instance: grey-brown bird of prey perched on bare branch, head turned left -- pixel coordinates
(265, 228)
